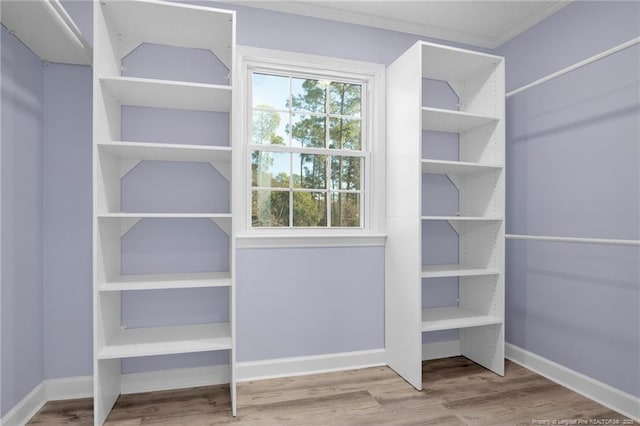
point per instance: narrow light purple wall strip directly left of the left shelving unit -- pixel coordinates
(67, 221)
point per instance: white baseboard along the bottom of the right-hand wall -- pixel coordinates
(602, 393)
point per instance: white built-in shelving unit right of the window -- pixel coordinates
(478, 177)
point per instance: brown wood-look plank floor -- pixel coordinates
(457, 392)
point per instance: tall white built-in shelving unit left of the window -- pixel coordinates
(119, 28)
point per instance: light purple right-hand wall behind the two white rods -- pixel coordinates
(573, 169)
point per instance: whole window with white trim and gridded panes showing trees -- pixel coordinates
(310, 141)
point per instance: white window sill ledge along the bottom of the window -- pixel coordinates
(310, 240)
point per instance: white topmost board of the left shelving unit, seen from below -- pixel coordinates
(172, 24)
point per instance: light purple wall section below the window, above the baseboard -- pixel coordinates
(298, 302)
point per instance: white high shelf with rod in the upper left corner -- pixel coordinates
(45, 27)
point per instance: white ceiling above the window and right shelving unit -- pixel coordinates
(479, 23)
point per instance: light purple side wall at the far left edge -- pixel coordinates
(21, 222)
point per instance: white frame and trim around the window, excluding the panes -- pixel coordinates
(372, 233)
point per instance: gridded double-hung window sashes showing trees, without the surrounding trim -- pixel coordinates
(307, 156)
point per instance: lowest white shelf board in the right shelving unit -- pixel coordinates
(449, 318)
